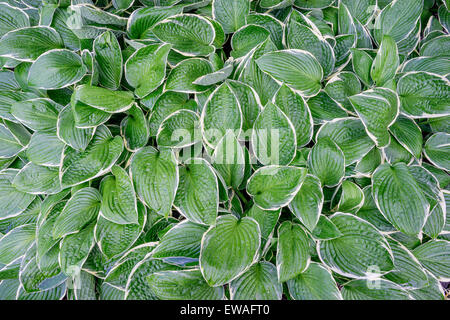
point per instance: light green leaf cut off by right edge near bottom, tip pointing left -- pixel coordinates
(434, 255)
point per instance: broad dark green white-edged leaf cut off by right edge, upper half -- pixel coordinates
(423, 94)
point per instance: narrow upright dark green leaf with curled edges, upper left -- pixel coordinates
(109, 59)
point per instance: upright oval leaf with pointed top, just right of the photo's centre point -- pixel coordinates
(273, 137)
